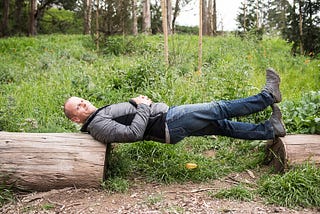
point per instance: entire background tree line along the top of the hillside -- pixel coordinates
(296, 20)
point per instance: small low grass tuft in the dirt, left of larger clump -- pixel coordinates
(238, 192)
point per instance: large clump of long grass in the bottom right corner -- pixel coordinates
(298, 187)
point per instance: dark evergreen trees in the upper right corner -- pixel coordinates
(297, 21)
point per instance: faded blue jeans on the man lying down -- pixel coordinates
(213, 119)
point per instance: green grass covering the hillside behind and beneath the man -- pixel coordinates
(38, 74)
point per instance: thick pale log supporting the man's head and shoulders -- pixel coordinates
(44, 161)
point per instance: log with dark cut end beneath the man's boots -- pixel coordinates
(292, 150)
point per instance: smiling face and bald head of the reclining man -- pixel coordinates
(80, 108)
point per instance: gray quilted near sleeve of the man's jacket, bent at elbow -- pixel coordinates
(107, 130)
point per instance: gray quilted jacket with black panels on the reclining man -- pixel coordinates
(124, 122)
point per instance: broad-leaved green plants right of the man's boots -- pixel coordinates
(303, 116)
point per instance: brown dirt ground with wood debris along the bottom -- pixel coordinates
(145, 197)
